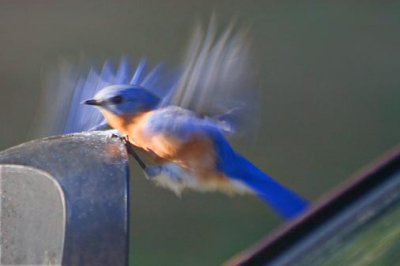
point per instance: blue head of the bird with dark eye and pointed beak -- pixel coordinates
(124, 99)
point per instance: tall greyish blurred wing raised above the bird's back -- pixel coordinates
(216, 78)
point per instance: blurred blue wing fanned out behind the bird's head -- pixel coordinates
(69, 85)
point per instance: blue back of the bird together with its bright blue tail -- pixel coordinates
(183, 124)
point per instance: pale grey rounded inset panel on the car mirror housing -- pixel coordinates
(32, 217)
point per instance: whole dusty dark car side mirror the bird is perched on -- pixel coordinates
(64, 200)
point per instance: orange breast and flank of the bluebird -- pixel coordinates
(197, 154)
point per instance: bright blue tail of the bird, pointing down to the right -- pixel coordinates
(284, 201)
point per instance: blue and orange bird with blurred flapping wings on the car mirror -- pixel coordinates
(182, 120)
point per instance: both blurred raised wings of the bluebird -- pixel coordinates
(215, 80)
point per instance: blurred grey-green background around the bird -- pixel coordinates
(330, 79)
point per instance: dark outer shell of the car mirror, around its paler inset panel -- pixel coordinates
(92, 171)
